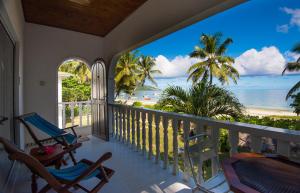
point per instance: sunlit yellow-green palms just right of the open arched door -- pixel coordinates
(132, 71)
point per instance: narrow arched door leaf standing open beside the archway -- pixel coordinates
(99, 102)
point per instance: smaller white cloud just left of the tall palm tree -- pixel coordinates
(174, 68)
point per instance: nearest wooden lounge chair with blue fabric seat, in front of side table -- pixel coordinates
(63, 180)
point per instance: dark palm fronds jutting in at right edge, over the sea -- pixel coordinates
(293, 67)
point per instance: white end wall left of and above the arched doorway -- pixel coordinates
(45, 49)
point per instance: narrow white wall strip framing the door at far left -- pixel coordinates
(11, 14)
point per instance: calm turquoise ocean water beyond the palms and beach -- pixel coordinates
(266, 91)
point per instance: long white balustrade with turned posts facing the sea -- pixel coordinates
(139, 120)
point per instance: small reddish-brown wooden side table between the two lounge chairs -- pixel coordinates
(53, 159)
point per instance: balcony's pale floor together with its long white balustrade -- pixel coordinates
(149, 153)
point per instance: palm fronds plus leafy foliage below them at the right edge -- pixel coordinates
(293, 92)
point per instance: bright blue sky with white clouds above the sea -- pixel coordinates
(263, 32)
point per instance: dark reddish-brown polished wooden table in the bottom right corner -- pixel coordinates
(254, 173)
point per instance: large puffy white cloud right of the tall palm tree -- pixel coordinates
(268, 60)
